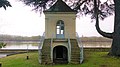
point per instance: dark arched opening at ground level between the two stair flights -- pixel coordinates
(60, 54)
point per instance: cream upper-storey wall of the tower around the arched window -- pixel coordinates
(69, 24)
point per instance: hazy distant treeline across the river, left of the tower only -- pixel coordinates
(18, 38)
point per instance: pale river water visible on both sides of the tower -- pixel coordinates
(31, 45)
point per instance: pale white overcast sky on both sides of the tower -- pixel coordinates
(21, 20)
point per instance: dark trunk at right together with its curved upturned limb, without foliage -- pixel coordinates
(115, 48)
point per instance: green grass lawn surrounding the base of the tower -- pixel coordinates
(92, 59)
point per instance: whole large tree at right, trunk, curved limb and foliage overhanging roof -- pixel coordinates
(96, 9)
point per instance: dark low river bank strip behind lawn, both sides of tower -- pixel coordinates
(9, 52)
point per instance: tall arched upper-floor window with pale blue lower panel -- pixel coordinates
(60, 29)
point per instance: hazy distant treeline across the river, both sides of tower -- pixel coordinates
(37, 38)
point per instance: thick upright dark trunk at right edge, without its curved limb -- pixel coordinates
(115, 48)
